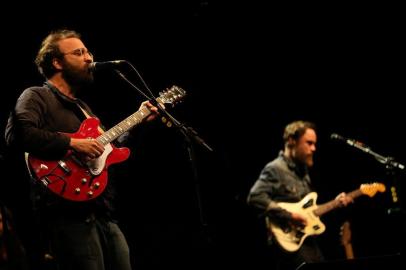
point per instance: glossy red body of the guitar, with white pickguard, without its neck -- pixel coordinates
(71, 177)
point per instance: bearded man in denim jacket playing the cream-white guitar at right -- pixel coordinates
(286, 179)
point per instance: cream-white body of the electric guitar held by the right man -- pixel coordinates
(290, 239)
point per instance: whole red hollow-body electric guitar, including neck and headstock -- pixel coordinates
(75, 179)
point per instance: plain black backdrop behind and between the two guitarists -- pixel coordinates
(248, 69)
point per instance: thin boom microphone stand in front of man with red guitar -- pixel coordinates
(189, 134)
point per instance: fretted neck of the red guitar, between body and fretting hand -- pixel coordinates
(125, 125)
